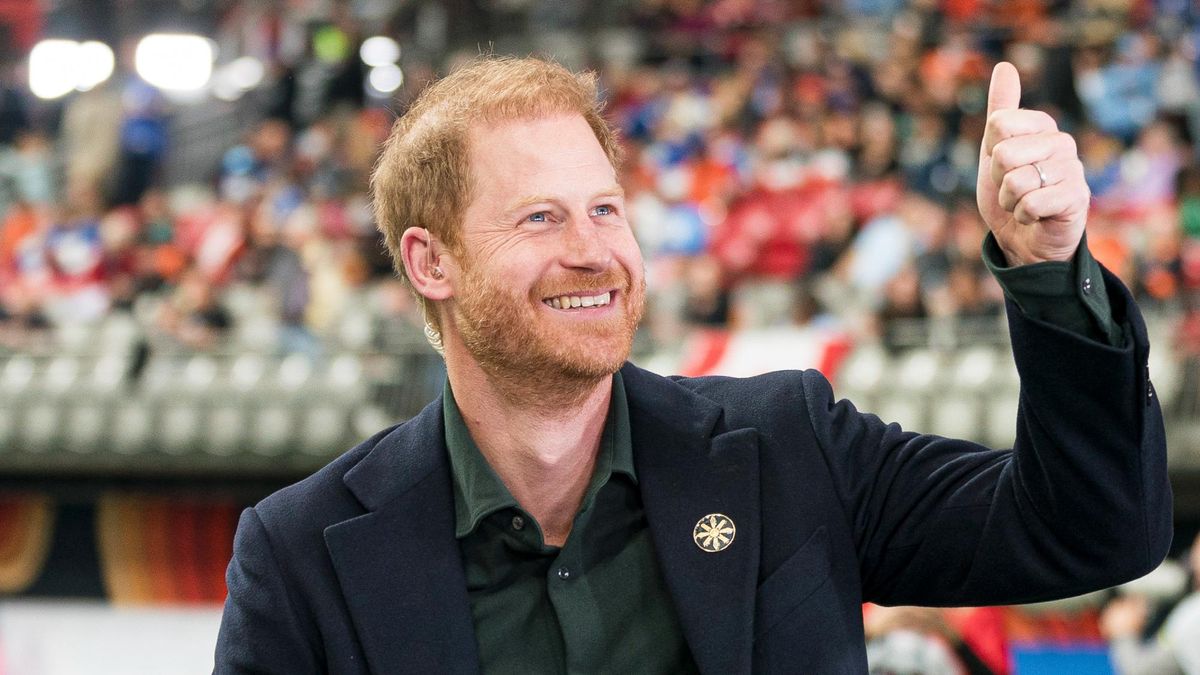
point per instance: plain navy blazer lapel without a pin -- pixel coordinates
(399, 565)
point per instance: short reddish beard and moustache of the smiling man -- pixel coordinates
(523, 348)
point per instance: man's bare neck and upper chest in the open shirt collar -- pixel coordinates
(541, 443)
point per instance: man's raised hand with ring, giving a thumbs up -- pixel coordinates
(1031, 189)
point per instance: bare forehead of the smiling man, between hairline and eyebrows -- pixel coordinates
(549, 150)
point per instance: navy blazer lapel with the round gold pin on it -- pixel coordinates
(686, 474)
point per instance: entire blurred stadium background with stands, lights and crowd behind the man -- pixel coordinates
(196, 308)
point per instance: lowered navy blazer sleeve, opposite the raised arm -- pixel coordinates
(261, 632)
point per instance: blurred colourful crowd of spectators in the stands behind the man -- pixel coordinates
(785, 164)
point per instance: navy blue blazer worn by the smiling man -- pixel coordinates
(357, 570)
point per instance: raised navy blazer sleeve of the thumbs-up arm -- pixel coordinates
(1082, 501)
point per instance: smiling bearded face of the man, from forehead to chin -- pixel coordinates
(551, 279)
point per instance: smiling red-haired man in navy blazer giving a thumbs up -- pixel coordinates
(562, 511)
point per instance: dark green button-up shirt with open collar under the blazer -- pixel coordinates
(597, 605)
